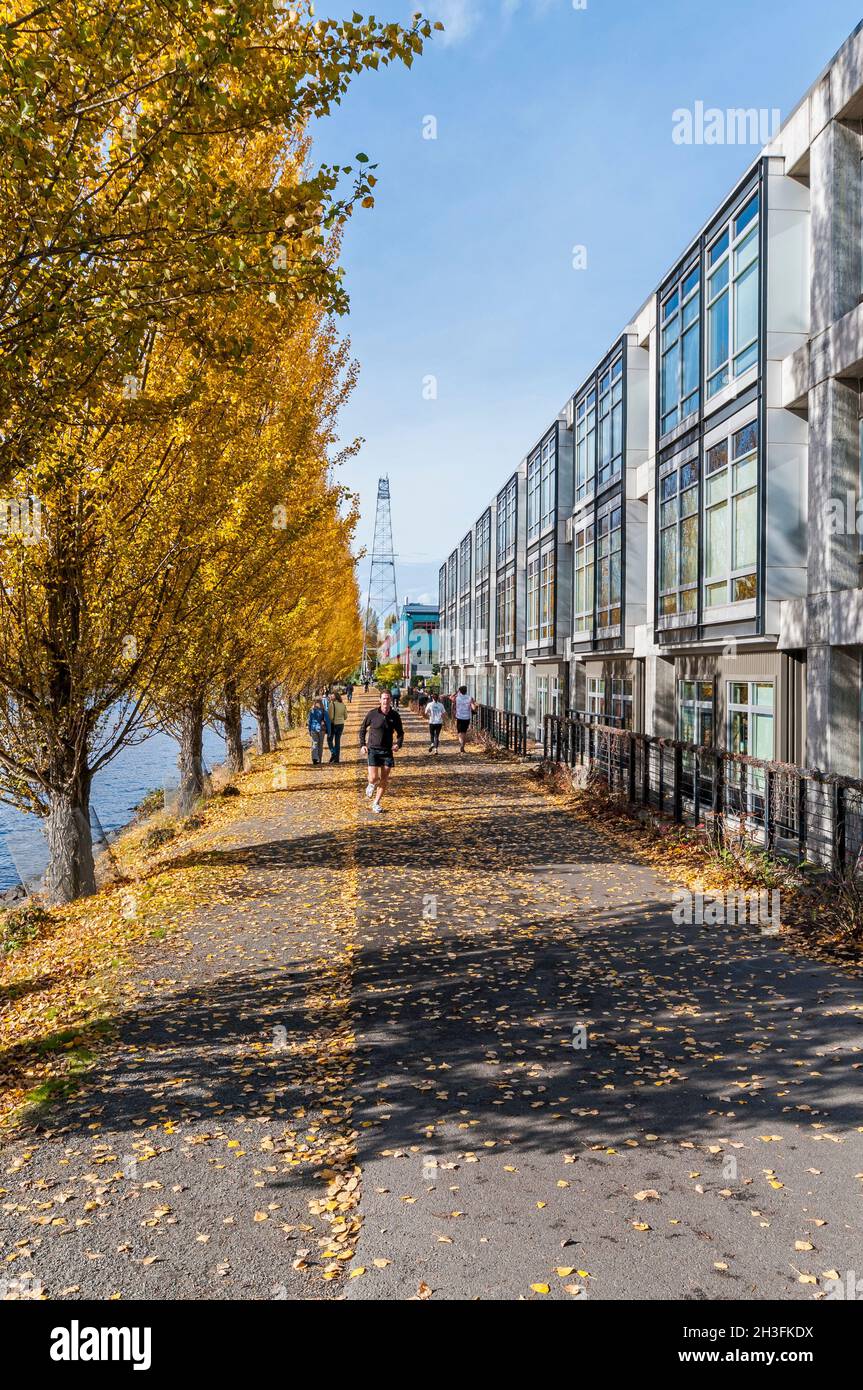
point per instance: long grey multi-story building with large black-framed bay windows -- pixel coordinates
(680, 554)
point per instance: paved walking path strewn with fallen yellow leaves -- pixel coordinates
(366, 1061)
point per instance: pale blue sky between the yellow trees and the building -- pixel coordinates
(554, 130)
